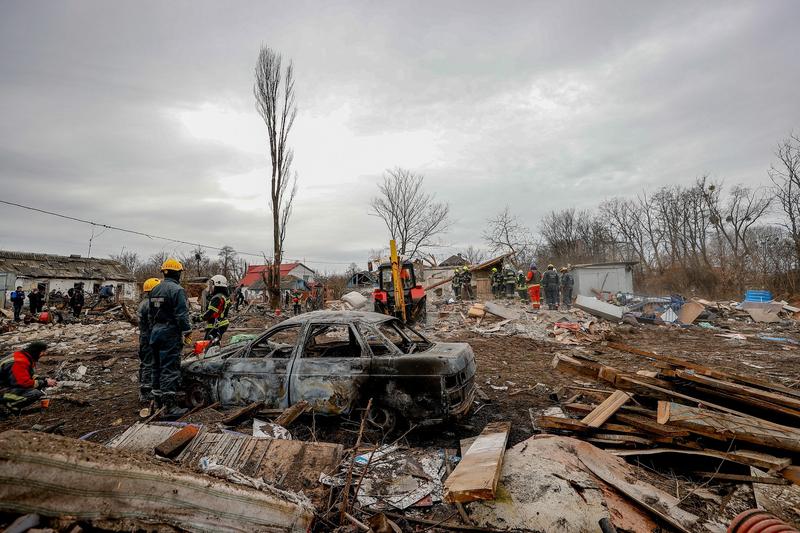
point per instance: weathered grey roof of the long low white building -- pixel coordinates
(32, 265)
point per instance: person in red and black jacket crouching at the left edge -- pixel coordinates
(19, 384)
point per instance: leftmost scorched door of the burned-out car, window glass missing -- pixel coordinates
(259, 372)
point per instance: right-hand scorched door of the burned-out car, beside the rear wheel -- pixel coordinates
(329, 368)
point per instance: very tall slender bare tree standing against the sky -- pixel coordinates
(275, 102)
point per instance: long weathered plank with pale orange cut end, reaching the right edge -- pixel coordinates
(742, 428)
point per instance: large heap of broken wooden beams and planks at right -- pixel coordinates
(715, 426)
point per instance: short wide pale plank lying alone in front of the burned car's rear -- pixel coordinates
(476, 476)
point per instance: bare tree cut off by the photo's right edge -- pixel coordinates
(785, 176)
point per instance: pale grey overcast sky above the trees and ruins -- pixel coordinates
(140, 114)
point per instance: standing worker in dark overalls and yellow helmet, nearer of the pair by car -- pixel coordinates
(168, 315)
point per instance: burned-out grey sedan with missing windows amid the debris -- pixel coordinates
(337, 361)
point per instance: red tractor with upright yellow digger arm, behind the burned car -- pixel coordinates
(398, 293)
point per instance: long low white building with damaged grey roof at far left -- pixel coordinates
(61, 273)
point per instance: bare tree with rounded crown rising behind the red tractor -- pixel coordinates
(413, 217)
